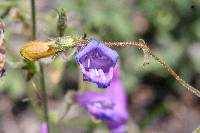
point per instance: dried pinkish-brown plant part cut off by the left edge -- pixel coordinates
(2, 50)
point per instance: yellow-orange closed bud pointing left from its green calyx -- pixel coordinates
(37, 49)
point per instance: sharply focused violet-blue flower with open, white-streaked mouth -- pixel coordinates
(97, 62)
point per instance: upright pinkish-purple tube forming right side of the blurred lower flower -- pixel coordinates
(117, 94)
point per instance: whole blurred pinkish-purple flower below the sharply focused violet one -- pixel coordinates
(110, 106)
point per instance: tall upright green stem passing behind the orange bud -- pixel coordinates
(44, 93)
